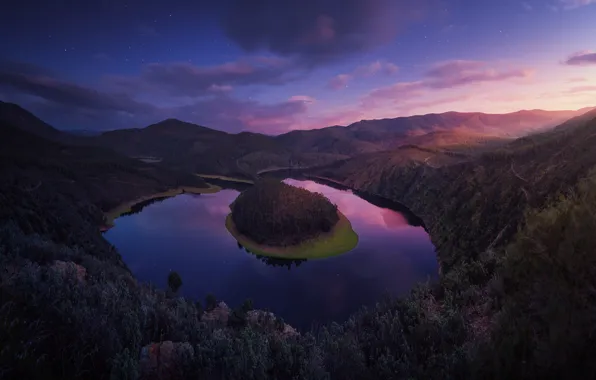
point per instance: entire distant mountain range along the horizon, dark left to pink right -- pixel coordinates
(200, 149)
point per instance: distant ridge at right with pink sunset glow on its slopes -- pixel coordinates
(469, 129)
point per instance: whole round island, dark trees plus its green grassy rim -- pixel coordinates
(274, 218)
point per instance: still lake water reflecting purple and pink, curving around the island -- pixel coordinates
(187, 234)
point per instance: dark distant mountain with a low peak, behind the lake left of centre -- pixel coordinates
(203, 150)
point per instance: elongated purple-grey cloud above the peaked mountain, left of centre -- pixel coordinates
(185, 79)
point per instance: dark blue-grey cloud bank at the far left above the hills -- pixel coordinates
(35, 81)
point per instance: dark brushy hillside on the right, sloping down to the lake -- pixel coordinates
(513, 227)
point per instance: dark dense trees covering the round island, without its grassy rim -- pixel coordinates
(277, 214)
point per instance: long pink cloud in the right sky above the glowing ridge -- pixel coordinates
(445, 75)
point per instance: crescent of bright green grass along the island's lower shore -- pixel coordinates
(341, 239)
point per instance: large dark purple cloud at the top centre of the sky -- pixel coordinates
(318, 31)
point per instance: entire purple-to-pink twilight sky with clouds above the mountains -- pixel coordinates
(271, 66)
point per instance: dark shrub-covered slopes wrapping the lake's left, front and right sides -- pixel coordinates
(515, 237)
